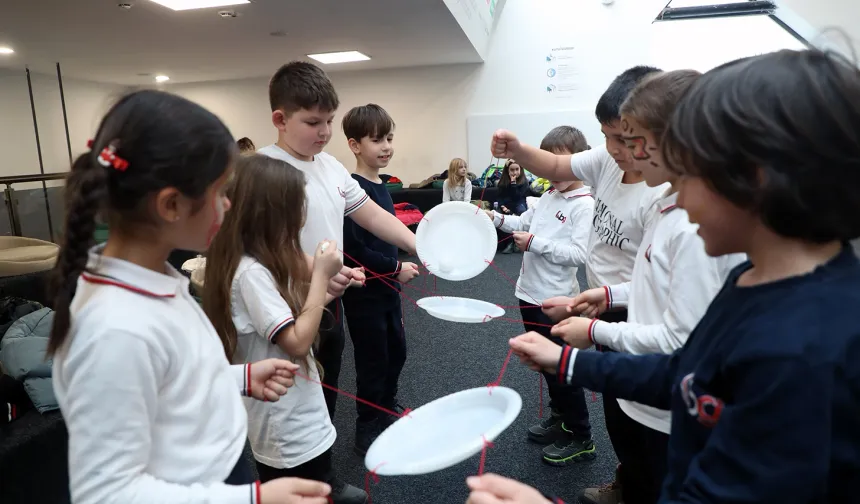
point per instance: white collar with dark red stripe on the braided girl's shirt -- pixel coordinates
(125, 275)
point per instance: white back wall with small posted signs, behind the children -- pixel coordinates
(430, 104)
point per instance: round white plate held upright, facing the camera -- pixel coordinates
(454, 242)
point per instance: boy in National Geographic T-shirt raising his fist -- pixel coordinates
(623, 202)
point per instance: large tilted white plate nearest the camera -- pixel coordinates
(444, 432)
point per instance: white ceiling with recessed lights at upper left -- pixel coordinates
(96, 40)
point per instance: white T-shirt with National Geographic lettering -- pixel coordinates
(621, 214)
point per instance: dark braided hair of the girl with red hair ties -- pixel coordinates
(167, 141)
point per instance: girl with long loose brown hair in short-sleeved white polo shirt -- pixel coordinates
(265, 303)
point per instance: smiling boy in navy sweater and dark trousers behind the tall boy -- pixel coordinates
(374, 313)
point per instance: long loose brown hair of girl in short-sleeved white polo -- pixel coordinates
(264, 222)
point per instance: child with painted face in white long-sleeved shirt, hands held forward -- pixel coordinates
(664, 304)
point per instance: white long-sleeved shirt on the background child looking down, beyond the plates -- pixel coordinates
(560, 224)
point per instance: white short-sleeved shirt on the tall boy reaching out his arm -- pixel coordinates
(331, 194)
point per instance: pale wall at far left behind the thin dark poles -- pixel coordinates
(86, 102)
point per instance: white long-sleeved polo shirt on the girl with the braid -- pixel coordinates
(151, 404)
